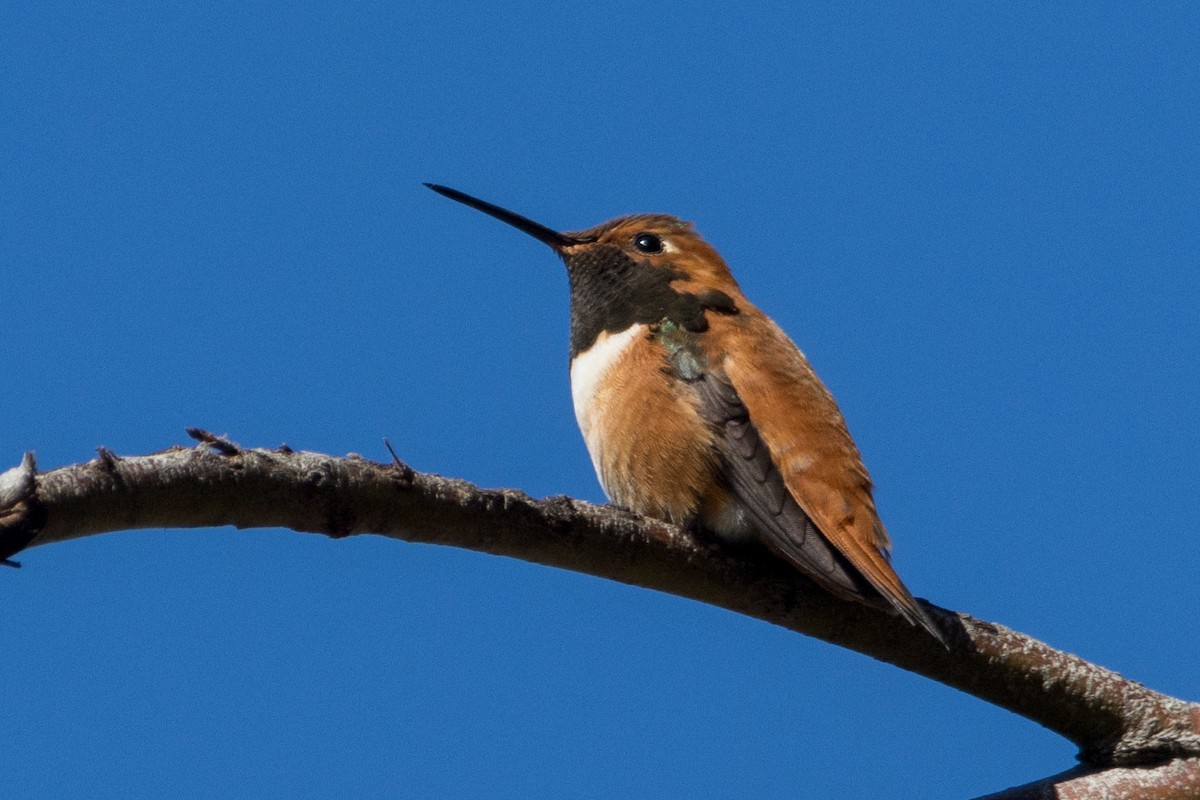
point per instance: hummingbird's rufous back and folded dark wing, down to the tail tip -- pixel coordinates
(784, 440)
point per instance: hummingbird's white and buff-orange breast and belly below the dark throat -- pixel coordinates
(651, 449)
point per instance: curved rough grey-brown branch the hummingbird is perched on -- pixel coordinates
(1124, 731)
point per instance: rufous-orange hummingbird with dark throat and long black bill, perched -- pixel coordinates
(698, 410)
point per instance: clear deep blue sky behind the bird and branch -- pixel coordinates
(980, 222)
